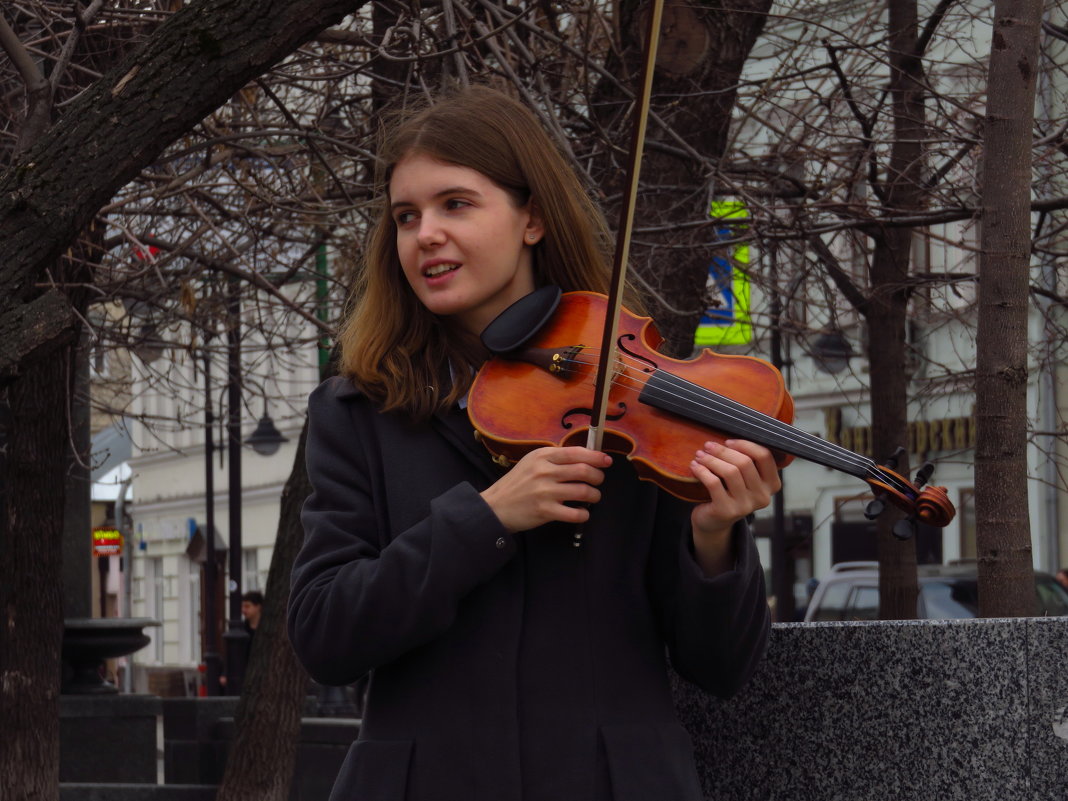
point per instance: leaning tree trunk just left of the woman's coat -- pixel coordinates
(262, 762)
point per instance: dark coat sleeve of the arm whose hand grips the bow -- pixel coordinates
(360, 599)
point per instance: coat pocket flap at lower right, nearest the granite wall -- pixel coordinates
(651, 762)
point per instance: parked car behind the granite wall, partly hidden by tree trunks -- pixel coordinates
(947, 592)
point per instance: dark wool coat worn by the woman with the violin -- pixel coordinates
(506, 668)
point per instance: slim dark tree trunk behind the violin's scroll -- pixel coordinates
(887, 310)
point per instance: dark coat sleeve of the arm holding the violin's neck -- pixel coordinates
(716, 629)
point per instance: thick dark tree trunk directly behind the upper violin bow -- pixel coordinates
(702, 53)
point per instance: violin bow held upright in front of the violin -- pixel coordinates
(606, 366)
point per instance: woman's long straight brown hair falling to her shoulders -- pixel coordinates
(398, 352)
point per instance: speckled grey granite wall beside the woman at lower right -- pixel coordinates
(896, 711)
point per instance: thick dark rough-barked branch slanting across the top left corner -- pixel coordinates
(194, 64)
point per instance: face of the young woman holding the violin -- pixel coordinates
(464, 244)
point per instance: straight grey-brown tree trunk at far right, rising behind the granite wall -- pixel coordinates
(1003, 527)
